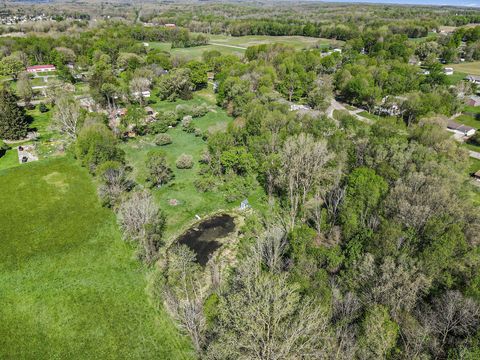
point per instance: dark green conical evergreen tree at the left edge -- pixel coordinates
(13, 124)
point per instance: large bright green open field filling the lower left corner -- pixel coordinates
(70, 287)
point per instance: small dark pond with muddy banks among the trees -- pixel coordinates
(202, 238)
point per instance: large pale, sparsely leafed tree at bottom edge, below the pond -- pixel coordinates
(265, 317)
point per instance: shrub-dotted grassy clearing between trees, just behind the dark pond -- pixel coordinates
(191, 201)
